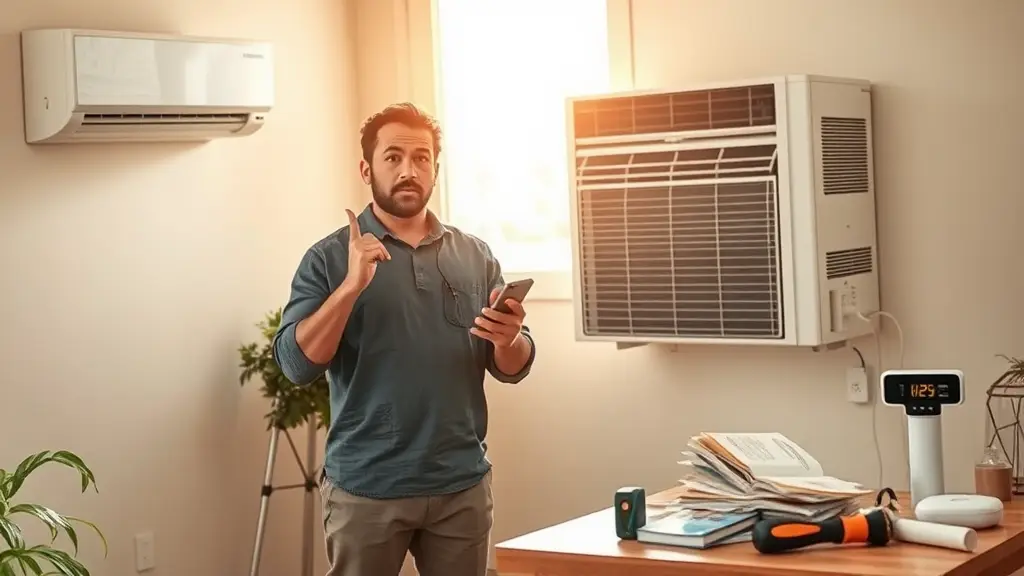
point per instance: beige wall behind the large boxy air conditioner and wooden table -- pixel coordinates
(949, 135)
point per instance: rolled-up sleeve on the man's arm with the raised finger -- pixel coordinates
(310, 291)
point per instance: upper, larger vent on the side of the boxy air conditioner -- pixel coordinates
(844, 155)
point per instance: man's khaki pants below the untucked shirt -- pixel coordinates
(448, 536)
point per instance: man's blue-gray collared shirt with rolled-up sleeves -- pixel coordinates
(409, 416)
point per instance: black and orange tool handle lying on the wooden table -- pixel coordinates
(873, 527)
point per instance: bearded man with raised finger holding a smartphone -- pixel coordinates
(397, 309)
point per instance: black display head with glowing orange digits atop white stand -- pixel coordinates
(923, 392)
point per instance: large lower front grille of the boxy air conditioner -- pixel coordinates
(698, 260)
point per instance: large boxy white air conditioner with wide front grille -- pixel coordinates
(736, 213)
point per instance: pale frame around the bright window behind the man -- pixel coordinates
(417, 21)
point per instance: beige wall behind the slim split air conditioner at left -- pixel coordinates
(133, 273)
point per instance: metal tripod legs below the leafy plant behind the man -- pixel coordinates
(310, 475)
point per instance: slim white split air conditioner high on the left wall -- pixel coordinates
(88, 87)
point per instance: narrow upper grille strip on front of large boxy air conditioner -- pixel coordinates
(696, 110)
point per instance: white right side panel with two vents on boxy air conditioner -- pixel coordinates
(845, 209)
